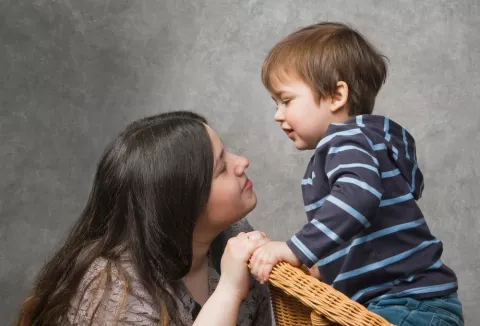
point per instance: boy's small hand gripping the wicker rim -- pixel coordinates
(266, 256)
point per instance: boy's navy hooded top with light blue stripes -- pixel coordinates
(365, 230)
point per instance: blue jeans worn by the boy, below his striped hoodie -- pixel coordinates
(441, 311)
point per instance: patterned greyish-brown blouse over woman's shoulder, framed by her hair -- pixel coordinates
(110, 291)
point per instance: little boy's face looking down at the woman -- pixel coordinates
(300, 115)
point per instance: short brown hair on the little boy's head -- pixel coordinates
(322, 55)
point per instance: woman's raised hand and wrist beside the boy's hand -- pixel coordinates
(235, 275)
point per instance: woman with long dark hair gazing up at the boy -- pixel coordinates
(146, 250)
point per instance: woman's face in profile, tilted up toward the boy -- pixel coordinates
(231, 196)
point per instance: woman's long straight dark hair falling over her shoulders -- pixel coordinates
(151, 184)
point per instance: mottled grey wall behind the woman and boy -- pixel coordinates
(74, 72)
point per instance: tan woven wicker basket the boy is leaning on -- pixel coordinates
(299, 299)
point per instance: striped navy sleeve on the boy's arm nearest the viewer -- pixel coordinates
(350, 164)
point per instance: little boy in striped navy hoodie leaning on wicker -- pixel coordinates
(365, 231)
